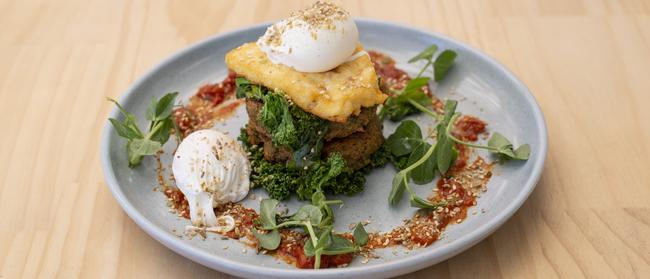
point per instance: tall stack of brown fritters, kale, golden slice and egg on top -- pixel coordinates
(311, 90)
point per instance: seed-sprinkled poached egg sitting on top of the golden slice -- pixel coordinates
(316, 39)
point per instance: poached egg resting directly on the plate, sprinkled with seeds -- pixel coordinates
(210, 169)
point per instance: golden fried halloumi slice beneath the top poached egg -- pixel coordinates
(333, 95)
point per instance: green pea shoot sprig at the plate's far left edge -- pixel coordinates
(161, 124)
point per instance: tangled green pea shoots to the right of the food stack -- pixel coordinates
(418, 160)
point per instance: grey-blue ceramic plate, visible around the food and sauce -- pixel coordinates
(483, 87)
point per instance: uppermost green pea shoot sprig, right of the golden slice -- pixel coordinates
(401, 103)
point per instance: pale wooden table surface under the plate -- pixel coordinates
(587, 62)
